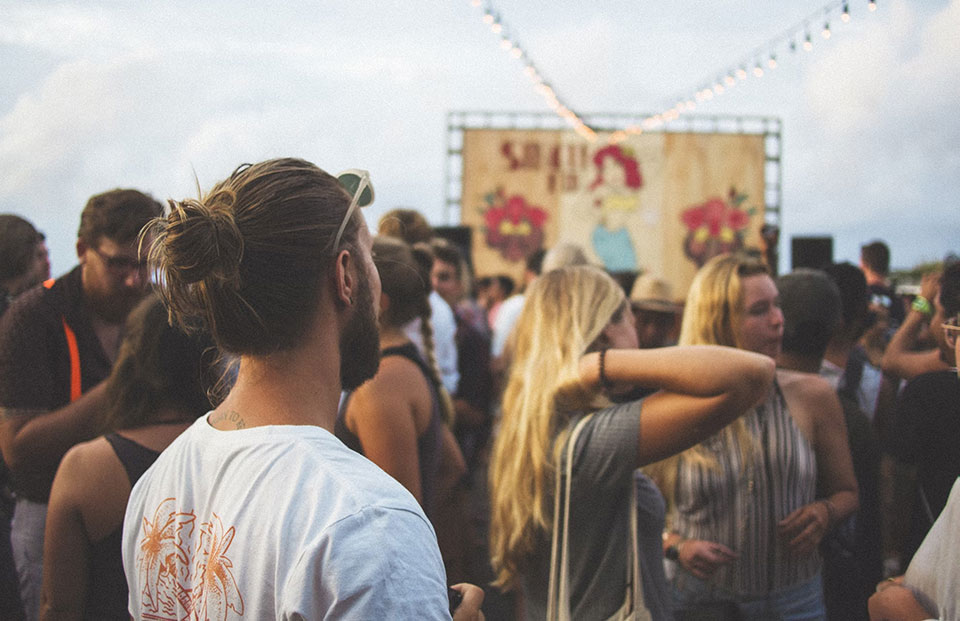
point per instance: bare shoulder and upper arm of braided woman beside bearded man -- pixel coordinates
(381, 414)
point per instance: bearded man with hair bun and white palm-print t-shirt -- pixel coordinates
(257, 510)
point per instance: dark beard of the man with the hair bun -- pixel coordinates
(360, 342)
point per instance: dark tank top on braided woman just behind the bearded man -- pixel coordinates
(428, 443)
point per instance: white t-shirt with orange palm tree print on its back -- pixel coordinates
(278, 522)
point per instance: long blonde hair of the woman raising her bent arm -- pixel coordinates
(564, 313)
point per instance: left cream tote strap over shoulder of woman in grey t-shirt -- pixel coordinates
(558, 599)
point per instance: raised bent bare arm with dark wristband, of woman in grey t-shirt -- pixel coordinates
(704, 388)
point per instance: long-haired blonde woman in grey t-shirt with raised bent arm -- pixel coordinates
(576, 346)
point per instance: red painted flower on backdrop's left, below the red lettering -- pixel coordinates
(513, 226)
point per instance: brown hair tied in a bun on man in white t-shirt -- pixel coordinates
(250, 257)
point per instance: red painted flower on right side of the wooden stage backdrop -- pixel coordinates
(716, 226)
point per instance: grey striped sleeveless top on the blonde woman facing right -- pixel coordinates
(739, 504)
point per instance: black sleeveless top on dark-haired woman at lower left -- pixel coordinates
(107, 587)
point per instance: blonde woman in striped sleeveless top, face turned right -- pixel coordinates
(743, 514)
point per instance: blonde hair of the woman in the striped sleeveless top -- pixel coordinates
(711, 316)
